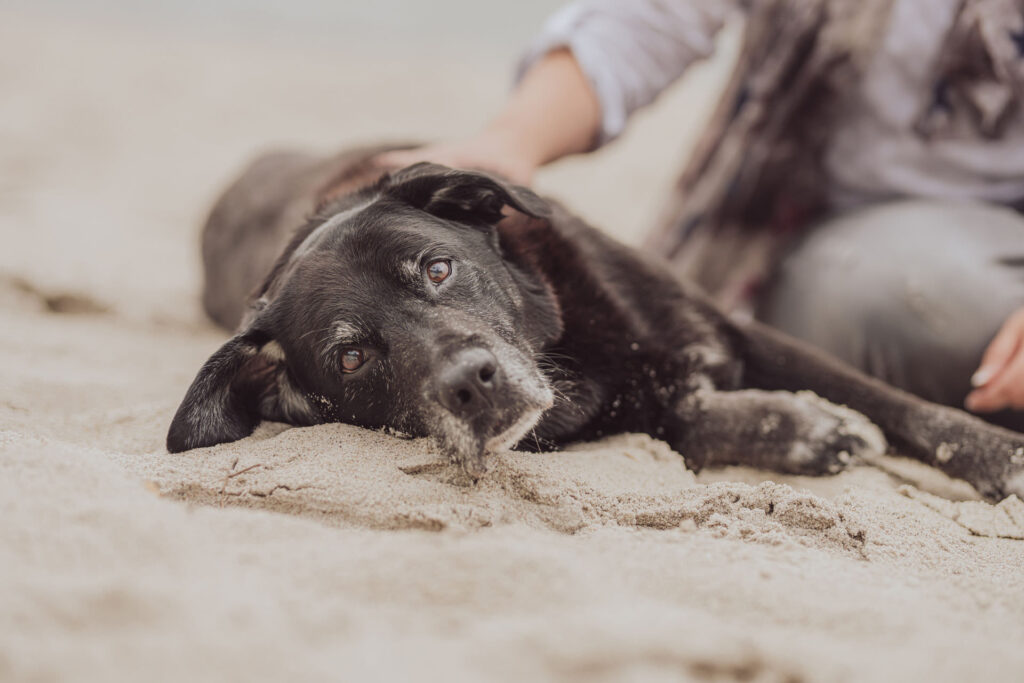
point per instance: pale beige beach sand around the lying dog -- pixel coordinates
(337, 553)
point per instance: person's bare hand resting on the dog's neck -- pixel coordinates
(489, 151)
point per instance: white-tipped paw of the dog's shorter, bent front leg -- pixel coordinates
(830, 438)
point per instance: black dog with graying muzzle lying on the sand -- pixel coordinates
(441, 303)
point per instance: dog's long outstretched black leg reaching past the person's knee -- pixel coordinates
(960, 445)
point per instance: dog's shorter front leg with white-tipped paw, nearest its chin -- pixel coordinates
(796, 434)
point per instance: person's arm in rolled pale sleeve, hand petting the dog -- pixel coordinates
(594, 64)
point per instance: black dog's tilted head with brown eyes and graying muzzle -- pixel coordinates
(406, 306)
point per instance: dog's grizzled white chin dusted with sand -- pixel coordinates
(468, 448)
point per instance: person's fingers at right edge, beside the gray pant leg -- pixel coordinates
(1000, 379)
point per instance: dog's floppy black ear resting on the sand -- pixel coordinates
(246, 381)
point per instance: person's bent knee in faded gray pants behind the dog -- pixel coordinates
(911, 292)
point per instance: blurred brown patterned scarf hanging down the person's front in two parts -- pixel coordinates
(756, 181)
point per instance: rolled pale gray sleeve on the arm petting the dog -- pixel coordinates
(630, 51)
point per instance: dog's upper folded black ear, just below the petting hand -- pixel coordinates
(463, 196)
